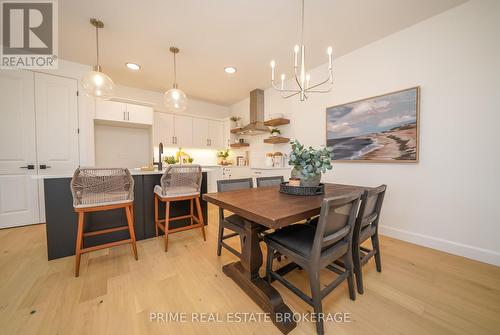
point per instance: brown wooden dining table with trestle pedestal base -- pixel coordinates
(266, 208)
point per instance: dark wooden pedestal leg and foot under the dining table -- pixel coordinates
(246, 274)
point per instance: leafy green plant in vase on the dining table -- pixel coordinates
(308, 163)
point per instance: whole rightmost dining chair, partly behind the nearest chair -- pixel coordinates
(367, 227)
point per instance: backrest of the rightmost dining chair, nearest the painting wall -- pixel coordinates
(370, 208)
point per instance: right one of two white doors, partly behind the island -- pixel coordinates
(56, 124)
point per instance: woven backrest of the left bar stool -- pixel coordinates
(101, 186)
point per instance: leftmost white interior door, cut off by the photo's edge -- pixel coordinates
(18, 164)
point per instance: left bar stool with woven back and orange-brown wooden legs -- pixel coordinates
(102, 189)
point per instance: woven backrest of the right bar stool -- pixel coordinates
(178, 179)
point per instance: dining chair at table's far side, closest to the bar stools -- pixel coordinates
(233, 222)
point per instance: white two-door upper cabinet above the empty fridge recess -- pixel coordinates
(109, 110)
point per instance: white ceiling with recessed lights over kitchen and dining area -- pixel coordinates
(246, 34)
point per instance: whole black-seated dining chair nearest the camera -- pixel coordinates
(314, 248)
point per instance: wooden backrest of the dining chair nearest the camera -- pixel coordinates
(336, 222)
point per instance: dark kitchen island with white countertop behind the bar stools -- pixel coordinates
(62, 221)
